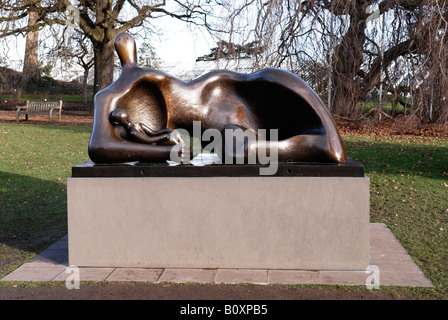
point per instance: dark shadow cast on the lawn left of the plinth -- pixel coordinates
(33, 215)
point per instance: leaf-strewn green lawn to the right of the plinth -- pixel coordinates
(409, 193)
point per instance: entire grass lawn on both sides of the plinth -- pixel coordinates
(408, 176)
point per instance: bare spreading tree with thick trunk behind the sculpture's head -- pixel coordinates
(99, 20)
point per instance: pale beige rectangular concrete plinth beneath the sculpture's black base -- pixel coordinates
(260, 222)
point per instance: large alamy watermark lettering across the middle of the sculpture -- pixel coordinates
(235, 145)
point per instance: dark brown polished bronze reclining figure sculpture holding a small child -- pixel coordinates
(136, 117)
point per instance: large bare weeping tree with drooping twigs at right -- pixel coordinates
(361, 42)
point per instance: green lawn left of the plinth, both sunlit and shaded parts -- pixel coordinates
(35, 162)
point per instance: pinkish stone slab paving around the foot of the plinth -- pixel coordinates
(390, 265)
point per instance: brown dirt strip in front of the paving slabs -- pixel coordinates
(153, 291)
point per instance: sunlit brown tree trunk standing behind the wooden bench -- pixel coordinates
(31, 60)
